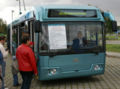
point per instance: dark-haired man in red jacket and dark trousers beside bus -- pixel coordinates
(26, 62)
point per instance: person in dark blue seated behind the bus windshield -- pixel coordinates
(79, 41)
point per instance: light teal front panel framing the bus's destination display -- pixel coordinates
(43, 17)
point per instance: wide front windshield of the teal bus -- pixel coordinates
(71, 37)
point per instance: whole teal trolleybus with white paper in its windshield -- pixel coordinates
(69, 41)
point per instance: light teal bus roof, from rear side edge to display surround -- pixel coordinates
(41, 13)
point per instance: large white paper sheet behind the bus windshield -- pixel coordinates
(57, 36)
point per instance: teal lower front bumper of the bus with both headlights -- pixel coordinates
(57, 73)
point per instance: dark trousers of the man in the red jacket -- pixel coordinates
(27, 78)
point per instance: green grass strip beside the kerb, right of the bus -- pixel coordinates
(113, 47)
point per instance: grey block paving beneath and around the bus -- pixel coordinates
(110, 80)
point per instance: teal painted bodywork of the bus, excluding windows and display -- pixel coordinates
(64, 66)
